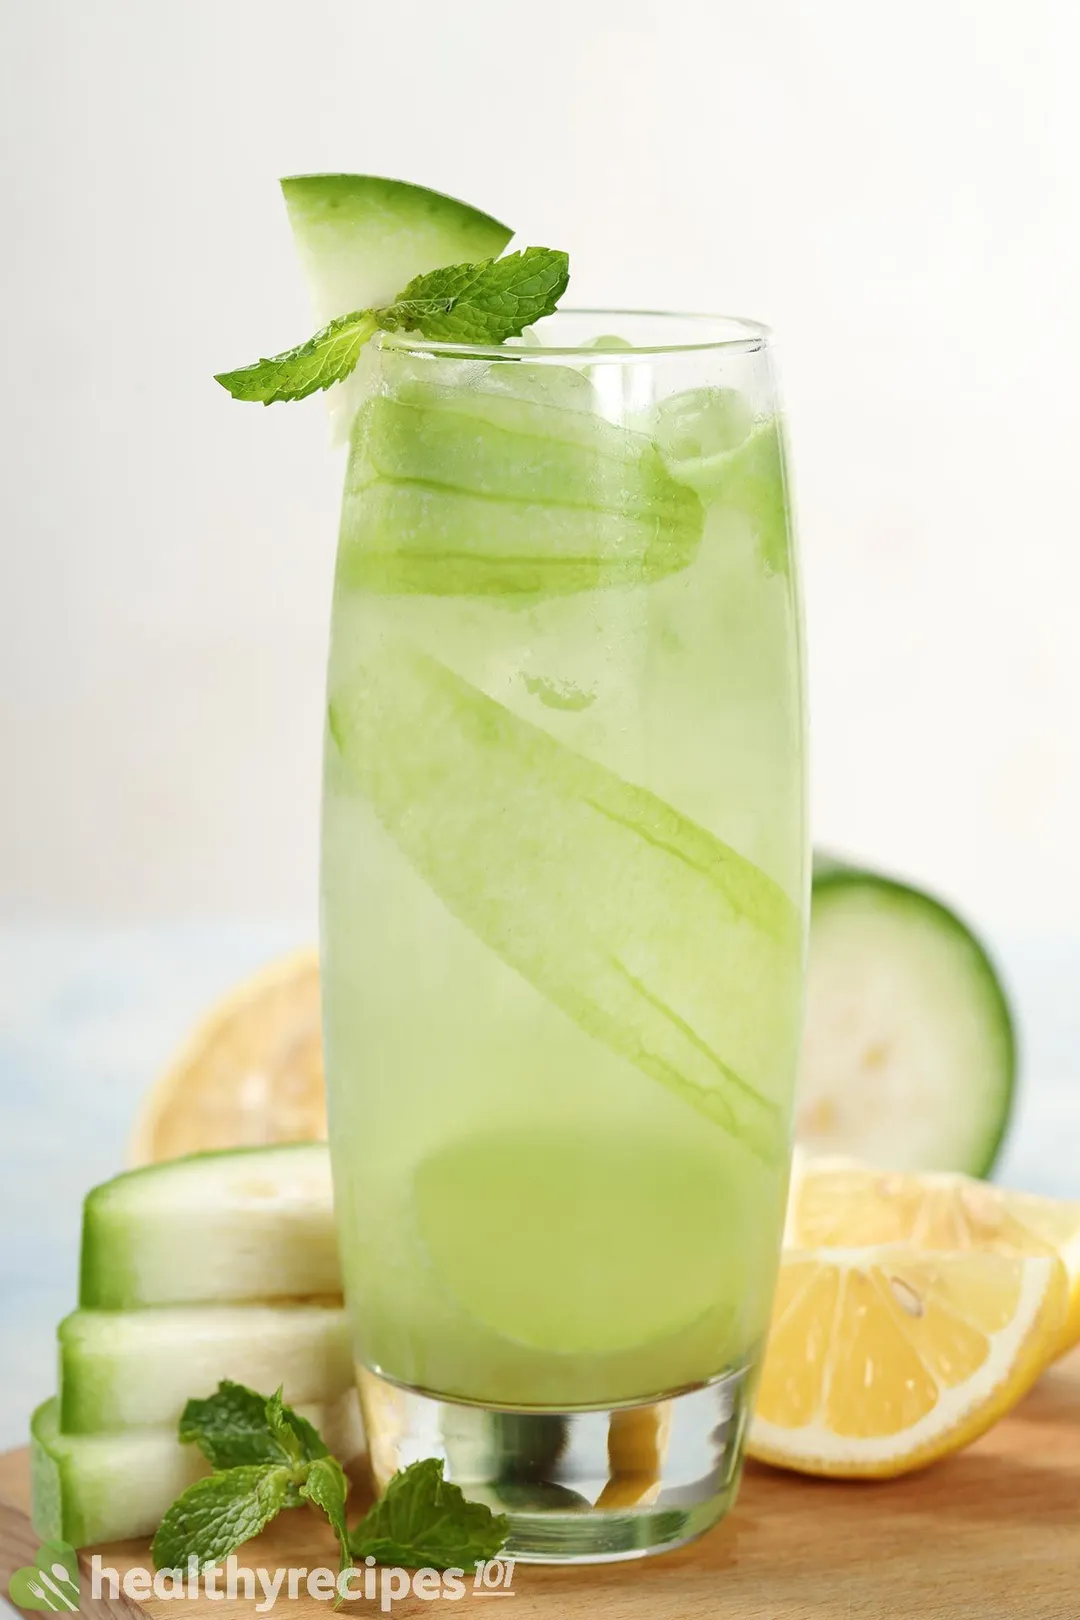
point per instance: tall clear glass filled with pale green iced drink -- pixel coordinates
(564, 890)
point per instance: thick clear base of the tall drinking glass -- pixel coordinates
(579, 1488)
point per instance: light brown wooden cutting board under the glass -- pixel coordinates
(992, 1535)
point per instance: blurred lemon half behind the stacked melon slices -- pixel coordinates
(250, 1075)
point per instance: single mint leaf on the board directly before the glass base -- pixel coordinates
(425, 1522)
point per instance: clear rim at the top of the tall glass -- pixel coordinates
(749, 338)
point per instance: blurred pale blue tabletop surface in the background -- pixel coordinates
(88, 1018)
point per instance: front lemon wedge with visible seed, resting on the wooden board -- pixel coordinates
(885, 1360)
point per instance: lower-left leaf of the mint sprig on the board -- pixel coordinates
(218, 1514)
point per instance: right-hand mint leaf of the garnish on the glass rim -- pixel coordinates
(482, 304)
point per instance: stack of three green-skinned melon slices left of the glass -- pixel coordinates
(223, 1266)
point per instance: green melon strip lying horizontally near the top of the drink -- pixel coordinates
(477, 493)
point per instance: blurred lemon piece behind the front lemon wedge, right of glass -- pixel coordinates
(840, 1201)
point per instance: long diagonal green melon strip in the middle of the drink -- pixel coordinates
(655, 937)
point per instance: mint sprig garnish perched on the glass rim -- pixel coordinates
(457, 304)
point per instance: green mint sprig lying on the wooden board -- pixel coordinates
(266, 1457)
